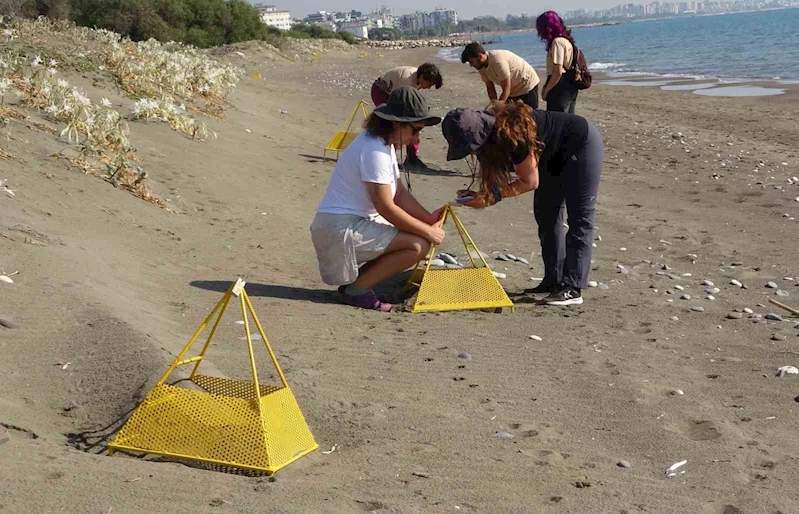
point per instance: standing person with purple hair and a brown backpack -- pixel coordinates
(560, 92)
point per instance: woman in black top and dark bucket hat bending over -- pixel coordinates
(556, 154)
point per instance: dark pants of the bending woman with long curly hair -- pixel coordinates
(567, 255)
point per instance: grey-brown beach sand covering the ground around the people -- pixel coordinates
(114, 286)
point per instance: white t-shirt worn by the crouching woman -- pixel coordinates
(366, 159)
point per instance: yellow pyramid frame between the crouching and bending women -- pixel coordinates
(457, 289)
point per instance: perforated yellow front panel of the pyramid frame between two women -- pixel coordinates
(460, 289)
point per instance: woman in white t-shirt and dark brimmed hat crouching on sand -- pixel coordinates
(367, 216)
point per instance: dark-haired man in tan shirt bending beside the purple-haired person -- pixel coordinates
(502, 68)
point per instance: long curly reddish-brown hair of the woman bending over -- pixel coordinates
(514, 127)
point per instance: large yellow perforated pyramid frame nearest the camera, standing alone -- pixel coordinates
(233, 423)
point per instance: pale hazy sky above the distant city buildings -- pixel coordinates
(466, 8)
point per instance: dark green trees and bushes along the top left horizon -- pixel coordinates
(202, 23)
